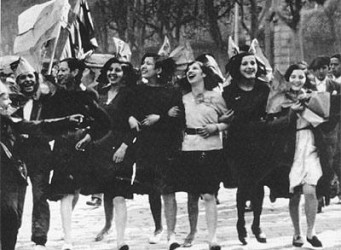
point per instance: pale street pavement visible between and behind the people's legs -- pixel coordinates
(275, 222)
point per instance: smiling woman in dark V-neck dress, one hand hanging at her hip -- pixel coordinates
(113, 154)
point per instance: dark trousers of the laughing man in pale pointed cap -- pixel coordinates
(41, 209)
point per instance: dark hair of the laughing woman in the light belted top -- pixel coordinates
(210, 81)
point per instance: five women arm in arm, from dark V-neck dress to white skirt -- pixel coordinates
(167, 136)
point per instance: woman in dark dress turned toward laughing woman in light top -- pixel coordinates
(159, 132)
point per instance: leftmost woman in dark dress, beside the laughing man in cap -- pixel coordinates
(69, 156)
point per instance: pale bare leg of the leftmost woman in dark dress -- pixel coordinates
(66, 215)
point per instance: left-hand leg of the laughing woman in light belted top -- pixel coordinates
(193, 213)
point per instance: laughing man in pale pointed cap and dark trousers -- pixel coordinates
(35, 151)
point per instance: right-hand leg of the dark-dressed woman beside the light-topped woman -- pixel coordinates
(170, 213)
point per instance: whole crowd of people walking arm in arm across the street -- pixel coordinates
(144, 131)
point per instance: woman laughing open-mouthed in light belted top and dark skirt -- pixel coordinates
(201, 155)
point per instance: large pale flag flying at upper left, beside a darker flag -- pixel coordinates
(37, 25)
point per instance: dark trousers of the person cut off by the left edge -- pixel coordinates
(12, 204)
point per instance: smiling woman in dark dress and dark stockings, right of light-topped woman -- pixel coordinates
(247, 96)
